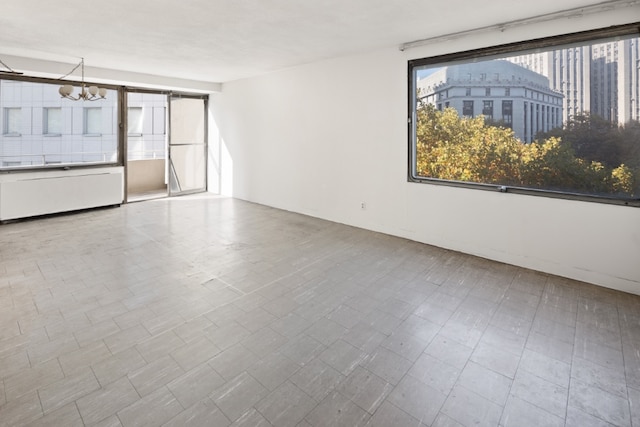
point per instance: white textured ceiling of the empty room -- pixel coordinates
(223, 40)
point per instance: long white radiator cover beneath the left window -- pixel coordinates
(26, 194)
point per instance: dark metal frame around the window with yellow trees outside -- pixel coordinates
(486, 53)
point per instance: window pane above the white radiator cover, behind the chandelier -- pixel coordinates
(42, 129)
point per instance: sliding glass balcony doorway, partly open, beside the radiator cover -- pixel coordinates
(166, 147)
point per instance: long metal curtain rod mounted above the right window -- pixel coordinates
(568, 13)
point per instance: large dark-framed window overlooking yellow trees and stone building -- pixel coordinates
(564, 131)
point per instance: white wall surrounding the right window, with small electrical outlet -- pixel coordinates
(320, 139)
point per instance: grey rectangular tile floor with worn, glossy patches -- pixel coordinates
(209, 311)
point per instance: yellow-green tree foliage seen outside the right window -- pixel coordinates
(457, 148)
